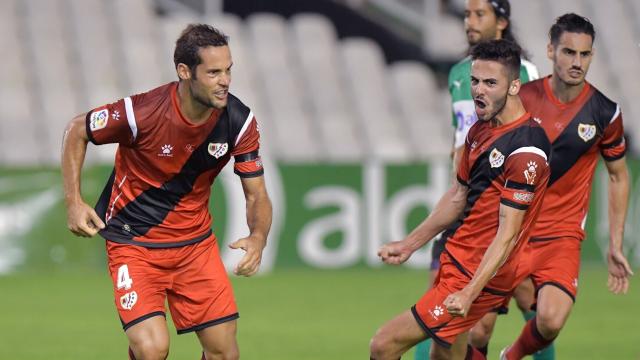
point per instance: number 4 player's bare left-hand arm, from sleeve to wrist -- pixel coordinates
(74, 148)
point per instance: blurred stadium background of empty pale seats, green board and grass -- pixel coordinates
(354, 111)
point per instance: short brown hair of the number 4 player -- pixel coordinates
(194, 37)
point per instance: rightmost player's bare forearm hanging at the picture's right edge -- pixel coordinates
(618, 202)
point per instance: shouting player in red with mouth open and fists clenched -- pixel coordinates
(501, 180)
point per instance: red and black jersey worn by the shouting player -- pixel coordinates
(505, 165)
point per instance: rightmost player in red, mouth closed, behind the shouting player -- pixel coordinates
(580, 122)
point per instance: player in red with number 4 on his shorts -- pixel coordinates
(173, 142)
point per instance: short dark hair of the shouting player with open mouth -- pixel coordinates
(503, 51)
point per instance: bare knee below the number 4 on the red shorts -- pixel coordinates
(150, 336)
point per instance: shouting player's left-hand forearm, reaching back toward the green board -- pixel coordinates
(448, 210)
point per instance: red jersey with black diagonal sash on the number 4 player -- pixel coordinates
(158, 193)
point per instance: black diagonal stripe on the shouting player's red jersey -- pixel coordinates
(482, 174)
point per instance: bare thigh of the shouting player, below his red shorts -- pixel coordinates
(399, 334)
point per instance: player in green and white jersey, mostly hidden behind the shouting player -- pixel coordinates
(483, 20)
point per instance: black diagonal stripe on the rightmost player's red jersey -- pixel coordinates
(568, 147)
